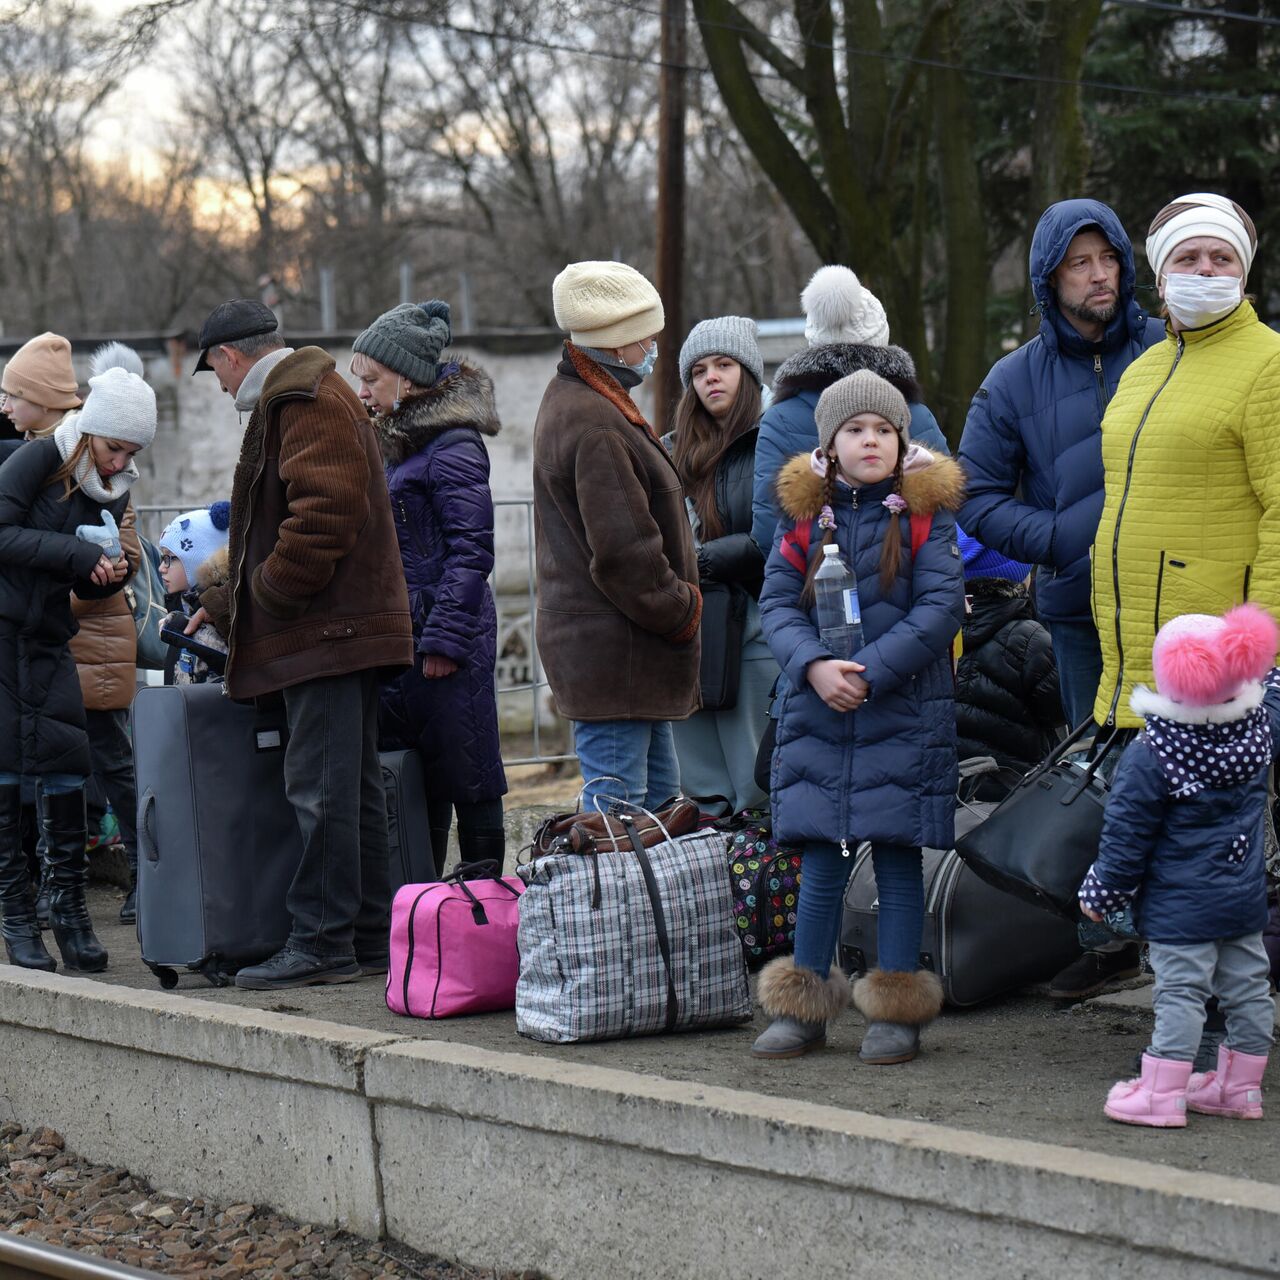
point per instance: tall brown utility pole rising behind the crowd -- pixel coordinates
(671, 208)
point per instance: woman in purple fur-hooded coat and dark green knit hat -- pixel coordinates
(432, 419)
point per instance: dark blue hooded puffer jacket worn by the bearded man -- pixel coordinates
(1032, 444)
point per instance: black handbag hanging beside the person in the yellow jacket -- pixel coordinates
(1044, 836)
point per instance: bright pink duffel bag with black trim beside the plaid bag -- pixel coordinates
(454, 945)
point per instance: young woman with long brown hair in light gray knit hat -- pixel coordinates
(714, 447)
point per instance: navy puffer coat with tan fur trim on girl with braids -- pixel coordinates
(886, 771)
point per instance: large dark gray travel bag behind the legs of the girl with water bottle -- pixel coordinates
(979, 940)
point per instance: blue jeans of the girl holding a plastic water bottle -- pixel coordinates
(899, 886)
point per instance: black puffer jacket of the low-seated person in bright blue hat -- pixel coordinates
(1008, 700)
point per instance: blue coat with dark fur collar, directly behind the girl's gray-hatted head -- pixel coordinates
(788, 427)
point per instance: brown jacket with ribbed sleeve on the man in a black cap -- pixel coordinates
(317, 587)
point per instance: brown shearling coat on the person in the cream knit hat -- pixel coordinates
(618, 600)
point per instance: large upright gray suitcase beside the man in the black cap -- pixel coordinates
(218, 840)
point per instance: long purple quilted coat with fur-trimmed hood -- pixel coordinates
(438, 478)
